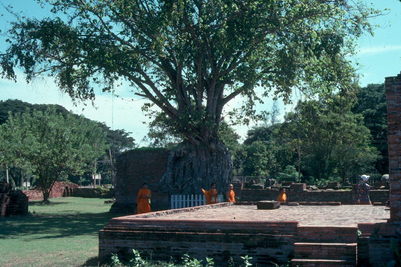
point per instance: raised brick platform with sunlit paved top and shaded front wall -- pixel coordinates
(223, 230)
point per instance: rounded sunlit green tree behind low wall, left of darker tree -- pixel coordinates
(333, 141)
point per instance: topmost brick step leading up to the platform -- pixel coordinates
(321, 234)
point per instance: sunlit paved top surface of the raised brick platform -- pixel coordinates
(344, 215)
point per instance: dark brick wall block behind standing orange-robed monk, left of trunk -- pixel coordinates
(135, 167)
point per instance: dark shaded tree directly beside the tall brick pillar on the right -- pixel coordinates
(371, 103)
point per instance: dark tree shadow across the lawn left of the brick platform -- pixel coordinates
(53, 225)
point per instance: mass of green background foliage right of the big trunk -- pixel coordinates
(321, 140)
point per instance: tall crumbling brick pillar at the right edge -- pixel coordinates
(393, 94)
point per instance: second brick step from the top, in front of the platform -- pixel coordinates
(330, 251)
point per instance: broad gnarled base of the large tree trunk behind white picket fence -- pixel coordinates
(192, 167)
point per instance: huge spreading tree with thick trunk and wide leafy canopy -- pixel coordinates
(190, 58)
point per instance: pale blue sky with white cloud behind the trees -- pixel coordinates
(378, 56)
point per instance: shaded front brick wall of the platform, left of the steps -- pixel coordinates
(163, 239)
